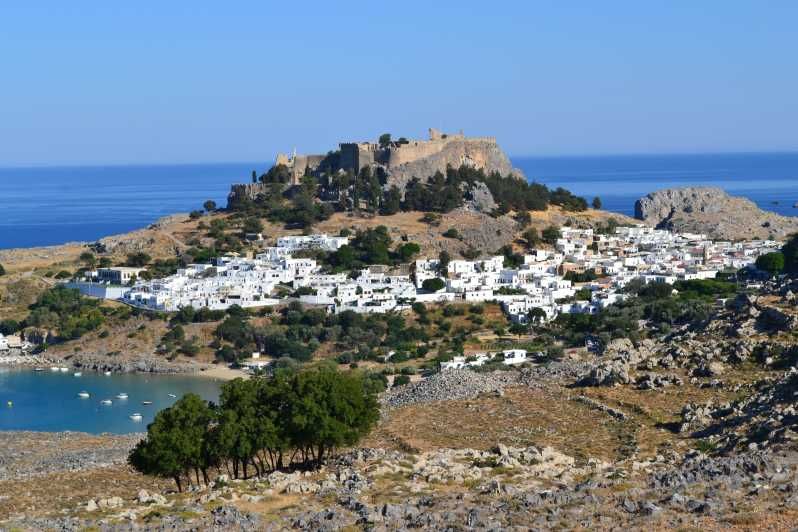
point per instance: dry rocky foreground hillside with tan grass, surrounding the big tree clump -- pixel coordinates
(693, 429)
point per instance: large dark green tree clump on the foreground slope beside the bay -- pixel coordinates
(292, 420)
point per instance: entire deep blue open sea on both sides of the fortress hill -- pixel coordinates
(51, 205)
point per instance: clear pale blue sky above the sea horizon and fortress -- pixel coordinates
(196, 81)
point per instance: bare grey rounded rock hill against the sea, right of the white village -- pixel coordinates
(711, 211)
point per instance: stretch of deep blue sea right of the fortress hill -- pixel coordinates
(620, 180)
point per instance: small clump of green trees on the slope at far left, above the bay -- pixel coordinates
(66, 312)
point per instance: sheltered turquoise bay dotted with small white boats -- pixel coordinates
(46, 401)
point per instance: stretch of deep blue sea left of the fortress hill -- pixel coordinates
(53, 205)
